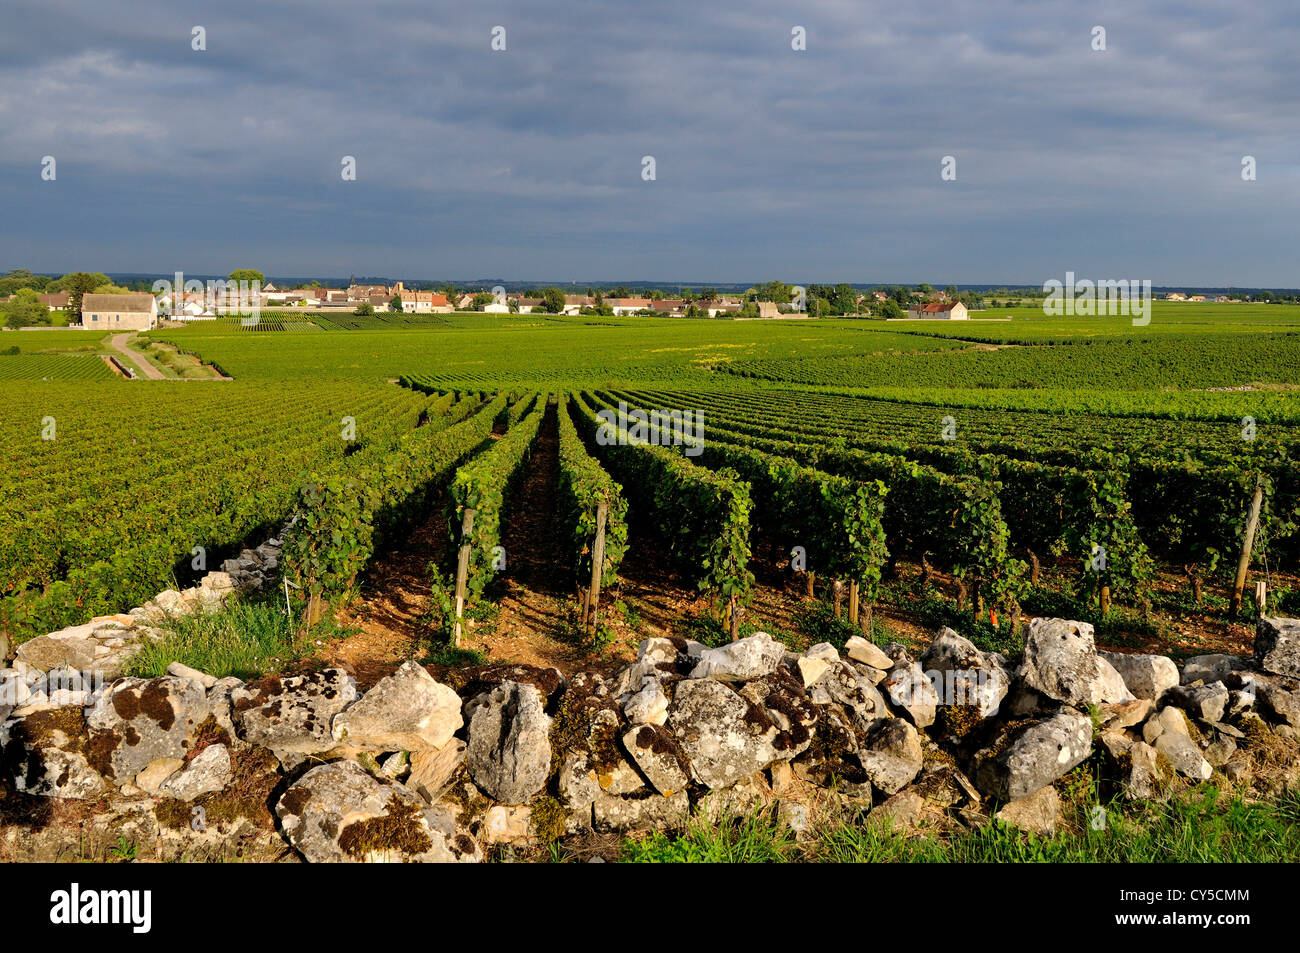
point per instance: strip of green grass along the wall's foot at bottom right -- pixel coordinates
(1204, 826)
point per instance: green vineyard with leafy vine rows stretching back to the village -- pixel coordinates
(892, 471)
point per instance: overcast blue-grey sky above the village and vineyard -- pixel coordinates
(770, 163)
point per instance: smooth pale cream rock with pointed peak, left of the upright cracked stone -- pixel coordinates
(405, 712)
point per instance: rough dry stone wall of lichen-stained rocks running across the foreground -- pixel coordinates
(443, 765)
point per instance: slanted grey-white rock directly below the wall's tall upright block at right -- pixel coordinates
(1034, 757)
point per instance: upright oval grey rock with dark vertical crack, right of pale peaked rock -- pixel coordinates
(510, 751)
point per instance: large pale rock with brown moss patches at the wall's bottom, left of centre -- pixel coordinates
(337, 813)
